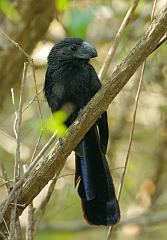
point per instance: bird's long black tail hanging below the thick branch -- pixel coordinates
(95, 184)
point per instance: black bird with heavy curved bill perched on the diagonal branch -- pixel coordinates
(72, 81)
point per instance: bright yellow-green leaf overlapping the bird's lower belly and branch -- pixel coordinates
(55, 123)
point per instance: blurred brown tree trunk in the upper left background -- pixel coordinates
(35, 19)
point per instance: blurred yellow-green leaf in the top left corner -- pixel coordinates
(9, 11)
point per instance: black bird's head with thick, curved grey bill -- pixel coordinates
(72, 48)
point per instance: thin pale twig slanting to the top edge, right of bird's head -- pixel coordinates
(114, 46)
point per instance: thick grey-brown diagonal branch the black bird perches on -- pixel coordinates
(53, 163)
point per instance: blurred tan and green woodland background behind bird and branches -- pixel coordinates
(36, 26)
